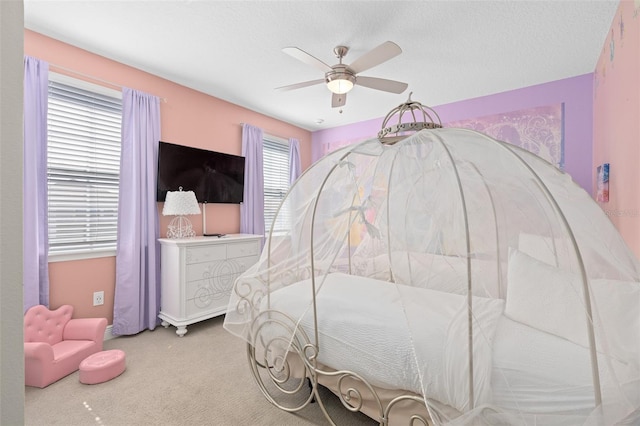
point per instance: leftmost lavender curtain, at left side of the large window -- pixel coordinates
(35, 229)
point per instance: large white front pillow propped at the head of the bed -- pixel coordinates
(550, 299)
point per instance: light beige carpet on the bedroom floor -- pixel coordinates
(202, 378)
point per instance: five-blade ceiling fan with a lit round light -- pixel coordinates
(341, 78)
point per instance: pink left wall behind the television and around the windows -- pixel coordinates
(188, 118)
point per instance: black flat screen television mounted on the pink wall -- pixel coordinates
(214, 177)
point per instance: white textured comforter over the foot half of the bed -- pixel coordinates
(363, 328)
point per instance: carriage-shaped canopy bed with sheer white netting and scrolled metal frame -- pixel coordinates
(438, 276)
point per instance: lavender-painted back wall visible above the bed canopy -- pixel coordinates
(576, 93)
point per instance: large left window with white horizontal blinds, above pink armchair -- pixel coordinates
(83, 166)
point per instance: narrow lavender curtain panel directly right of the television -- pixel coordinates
(252, 208)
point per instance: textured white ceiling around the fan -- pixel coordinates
(452, 50)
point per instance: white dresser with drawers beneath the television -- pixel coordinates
(197, 275)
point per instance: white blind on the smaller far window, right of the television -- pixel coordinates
(276, 184)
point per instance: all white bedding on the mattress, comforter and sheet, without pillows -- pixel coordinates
(363, 328)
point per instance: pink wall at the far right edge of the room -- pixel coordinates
(616, 124)
